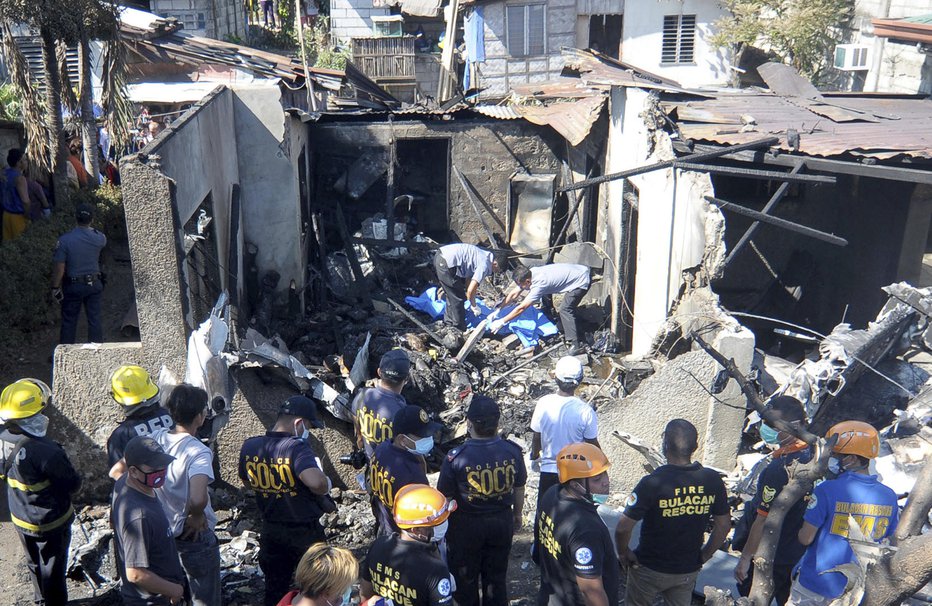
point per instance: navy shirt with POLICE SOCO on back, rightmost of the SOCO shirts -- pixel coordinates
(481, 475)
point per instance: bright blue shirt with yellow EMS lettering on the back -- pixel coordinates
(872, 505)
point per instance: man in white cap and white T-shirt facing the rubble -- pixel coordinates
(560, 419)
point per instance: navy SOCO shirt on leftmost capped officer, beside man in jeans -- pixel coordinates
(271, 465)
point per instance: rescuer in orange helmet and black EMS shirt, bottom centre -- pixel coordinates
(406, 567)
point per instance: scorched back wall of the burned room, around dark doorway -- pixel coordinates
(487, 152)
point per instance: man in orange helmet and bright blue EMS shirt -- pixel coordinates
(825, 524)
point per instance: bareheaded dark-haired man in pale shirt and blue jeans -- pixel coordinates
(184, 496)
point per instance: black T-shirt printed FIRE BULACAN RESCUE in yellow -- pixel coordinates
(675, 502)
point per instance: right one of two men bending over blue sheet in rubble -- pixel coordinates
(568, 279)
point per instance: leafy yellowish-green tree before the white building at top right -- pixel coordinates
(802, 33)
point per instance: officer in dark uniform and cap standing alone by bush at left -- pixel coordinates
(76, 278)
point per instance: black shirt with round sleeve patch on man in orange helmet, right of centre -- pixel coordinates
(573, 541)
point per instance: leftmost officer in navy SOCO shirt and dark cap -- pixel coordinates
(286, 476)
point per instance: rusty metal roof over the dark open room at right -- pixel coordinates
(898, 126)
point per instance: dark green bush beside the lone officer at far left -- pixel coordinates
(26, 263)
